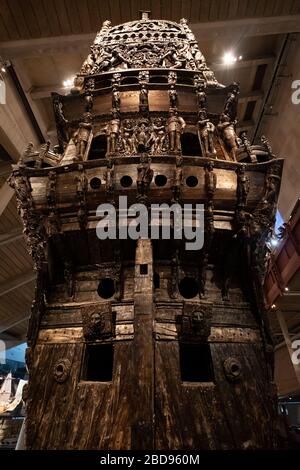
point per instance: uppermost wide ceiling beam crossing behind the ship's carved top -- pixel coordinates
(232, 30)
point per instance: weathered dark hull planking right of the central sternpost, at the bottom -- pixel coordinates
(213, 413)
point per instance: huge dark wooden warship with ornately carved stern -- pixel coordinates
(141, 344)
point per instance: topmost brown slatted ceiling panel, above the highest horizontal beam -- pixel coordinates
(43, 18)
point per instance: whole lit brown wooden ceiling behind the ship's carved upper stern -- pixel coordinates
(47, 41)
